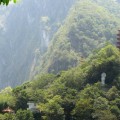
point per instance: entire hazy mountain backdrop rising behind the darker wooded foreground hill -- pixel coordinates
(48, 39)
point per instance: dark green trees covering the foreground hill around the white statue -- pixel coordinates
(74, 94)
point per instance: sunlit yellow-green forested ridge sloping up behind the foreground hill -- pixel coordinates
(89, 25)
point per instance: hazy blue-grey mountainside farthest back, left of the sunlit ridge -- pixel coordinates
(25, 31)
